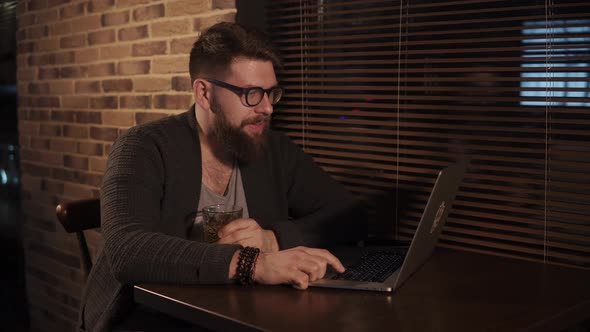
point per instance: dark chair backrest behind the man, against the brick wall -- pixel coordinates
(76, 217)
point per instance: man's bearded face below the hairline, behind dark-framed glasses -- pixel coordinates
(241, 129)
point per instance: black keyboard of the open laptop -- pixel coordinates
(374, 266)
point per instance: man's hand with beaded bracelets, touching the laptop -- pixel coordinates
(298, 266)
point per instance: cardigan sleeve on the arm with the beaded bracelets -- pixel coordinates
(130, 210)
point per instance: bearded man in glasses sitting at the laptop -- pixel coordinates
(221, 151)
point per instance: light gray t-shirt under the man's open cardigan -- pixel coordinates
(234, 195)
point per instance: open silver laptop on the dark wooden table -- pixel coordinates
(385, 268)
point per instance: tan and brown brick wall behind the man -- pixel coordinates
(87, 70)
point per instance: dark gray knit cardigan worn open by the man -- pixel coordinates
(150, 188)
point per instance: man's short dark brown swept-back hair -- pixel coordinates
(214, 51)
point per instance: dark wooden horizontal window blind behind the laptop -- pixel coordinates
(383, 94)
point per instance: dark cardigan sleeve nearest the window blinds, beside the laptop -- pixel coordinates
(322, 212)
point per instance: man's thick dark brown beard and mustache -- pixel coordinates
(242, 146)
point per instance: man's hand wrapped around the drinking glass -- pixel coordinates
(248, 233)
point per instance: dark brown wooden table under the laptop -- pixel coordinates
(453, 291)
